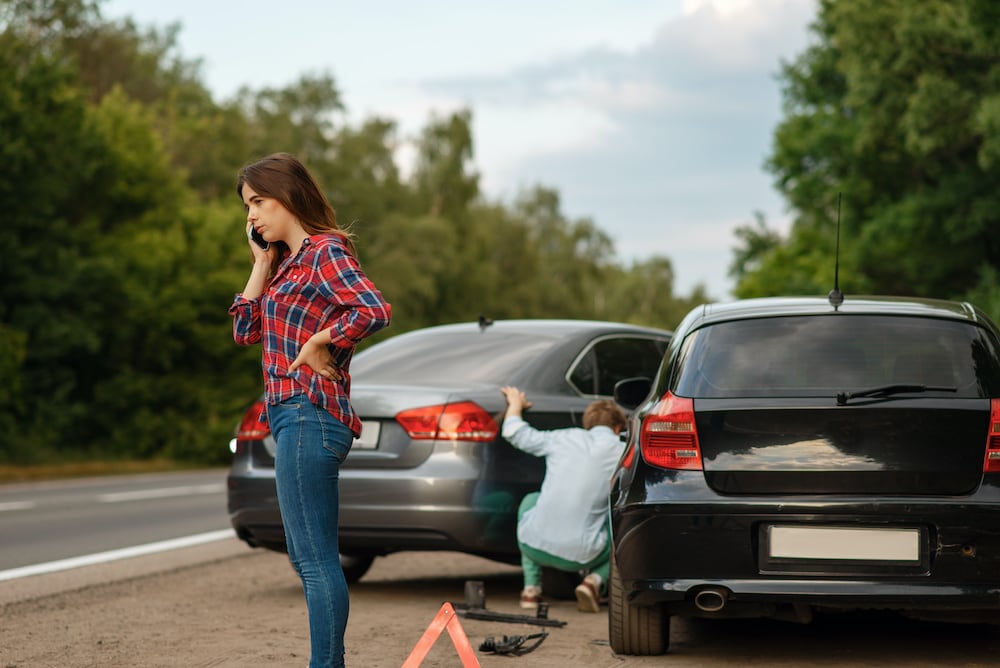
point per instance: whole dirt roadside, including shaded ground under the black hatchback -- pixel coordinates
(223, 604)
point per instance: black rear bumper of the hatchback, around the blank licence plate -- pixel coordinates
(668, 552)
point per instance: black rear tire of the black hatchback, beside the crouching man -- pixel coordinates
(634, 629)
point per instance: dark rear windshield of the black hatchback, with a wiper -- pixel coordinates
(823, 355)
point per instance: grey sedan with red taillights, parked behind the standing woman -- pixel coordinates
(430, 470)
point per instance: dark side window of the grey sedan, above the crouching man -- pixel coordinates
(610, 360)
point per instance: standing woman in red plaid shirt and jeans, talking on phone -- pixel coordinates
(309, 304)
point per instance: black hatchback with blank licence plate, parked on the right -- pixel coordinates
(795, 455)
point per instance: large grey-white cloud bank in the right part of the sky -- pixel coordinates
(662, 143)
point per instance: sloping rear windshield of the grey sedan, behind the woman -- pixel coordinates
(449, 356)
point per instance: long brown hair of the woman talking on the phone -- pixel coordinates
(281, 176)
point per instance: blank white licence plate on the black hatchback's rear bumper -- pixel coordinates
(899, 545)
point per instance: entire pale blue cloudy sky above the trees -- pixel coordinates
(652, 118)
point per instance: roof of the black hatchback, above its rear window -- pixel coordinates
(861, 305)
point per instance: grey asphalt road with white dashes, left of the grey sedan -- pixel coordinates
(50, 521)
